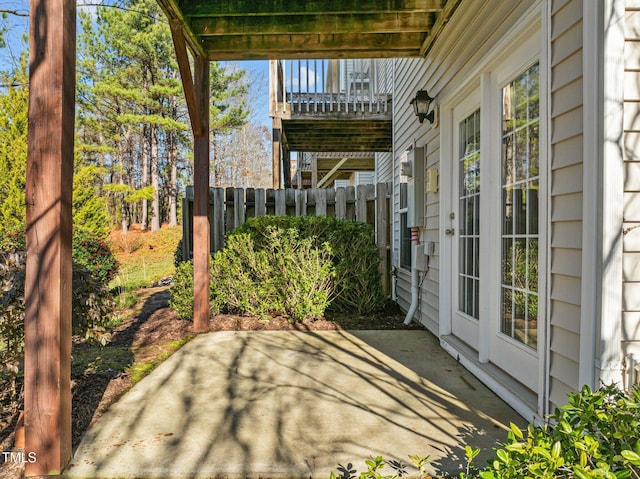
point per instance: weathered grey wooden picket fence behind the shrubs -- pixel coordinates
(230, 207)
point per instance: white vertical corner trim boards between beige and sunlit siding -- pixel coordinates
(603, 192)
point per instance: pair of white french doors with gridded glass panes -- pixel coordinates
(495, 239)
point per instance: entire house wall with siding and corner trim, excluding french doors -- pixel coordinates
(590, 258)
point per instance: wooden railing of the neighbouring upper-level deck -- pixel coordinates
(299, 87)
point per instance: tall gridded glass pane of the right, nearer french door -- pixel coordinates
(520, 180)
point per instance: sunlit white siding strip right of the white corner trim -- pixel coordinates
(631, 225)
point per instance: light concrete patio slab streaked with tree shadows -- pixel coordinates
(294, 405)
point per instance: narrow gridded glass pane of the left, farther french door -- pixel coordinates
(469, 214)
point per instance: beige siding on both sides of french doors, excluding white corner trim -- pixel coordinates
(445, 73)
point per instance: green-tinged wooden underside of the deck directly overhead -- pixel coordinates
(278, 29)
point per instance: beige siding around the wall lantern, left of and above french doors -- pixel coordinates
(448, 66)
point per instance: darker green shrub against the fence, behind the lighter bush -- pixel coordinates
(357, 285)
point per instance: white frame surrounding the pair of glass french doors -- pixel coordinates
(534, 25)
